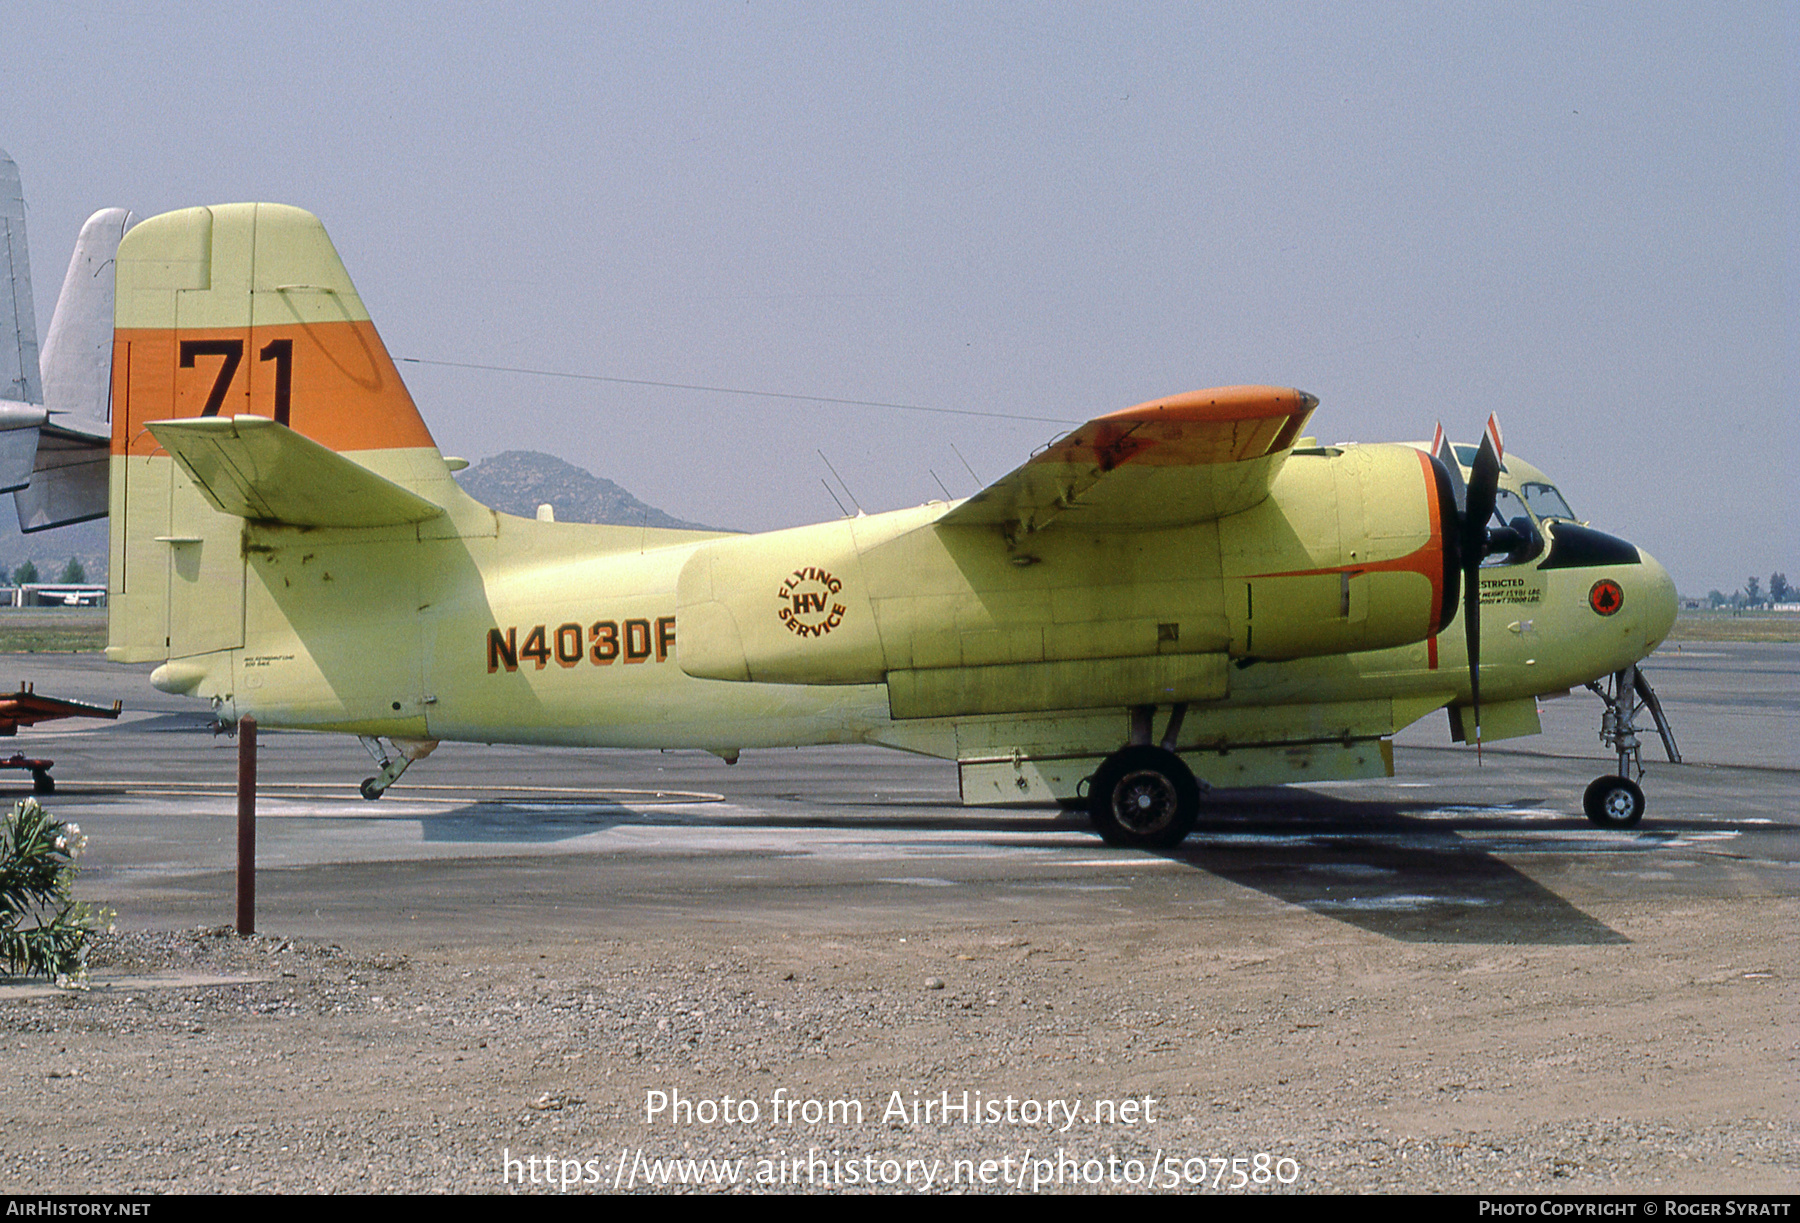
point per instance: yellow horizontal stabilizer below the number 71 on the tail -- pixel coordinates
(258, 469)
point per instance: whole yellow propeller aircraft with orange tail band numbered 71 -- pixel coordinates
(1178, 595)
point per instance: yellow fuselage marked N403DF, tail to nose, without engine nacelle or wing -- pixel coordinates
(541, 633)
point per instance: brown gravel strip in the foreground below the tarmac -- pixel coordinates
(285, 1065)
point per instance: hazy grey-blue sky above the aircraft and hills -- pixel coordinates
(1576, 215)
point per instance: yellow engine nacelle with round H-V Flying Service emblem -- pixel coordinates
(1347, 554)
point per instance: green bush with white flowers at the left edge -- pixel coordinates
(44, 929)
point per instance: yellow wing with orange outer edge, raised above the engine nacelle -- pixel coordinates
(1169, 462)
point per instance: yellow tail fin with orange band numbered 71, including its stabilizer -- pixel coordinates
(249, 392)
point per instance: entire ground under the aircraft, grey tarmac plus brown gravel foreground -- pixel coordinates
(1446, 981)
